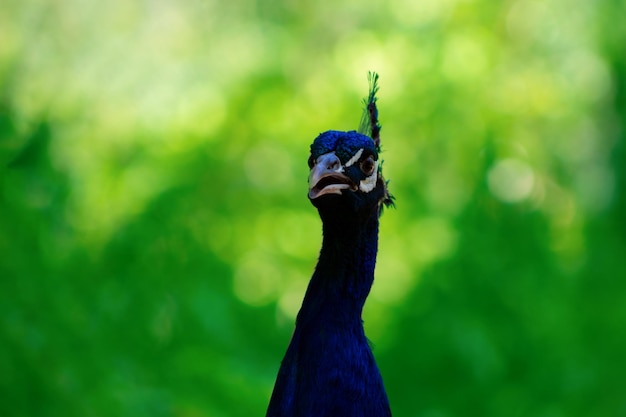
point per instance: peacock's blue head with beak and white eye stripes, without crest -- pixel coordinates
(345, 167)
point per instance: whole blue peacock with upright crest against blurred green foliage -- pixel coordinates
(329, 368)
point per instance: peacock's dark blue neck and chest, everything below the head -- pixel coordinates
(329, 369)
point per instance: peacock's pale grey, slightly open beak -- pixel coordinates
(327, 177)
